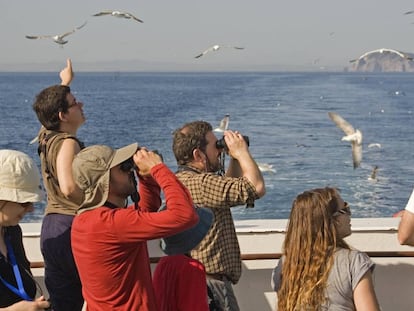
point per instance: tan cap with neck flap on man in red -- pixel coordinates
(90, 169)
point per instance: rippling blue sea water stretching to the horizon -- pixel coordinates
(284, 115)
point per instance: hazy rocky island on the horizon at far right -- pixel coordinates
(383, 60)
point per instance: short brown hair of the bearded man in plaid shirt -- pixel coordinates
(189, 137)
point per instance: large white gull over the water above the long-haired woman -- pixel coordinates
(352, 135)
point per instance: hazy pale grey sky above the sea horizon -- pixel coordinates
(276, 35)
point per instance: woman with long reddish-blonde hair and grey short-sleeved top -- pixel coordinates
(318, 269)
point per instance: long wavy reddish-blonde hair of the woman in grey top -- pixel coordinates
(309, 245)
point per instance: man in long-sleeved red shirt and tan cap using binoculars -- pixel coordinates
(109, 237)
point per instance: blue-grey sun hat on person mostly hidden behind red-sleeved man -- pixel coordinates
(185, 241)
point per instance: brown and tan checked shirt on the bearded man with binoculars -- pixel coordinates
(219, 251)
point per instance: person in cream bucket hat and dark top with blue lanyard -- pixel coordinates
(19, 189)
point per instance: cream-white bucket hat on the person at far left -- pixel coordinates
(19, 178)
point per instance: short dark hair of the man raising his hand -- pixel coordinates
(49, 102)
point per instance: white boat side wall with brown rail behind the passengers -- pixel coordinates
(261, 245)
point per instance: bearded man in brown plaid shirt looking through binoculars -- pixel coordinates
(198, 157)
